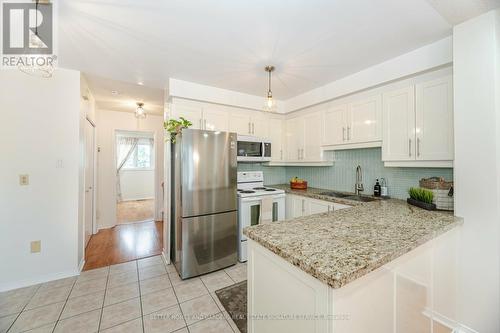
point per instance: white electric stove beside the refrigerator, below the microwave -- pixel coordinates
(257, 204)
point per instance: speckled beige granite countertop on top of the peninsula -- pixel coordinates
(342, 246)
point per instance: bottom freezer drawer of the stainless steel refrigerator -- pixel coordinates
(209, 243)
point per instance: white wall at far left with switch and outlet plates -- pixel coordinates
(39, 136)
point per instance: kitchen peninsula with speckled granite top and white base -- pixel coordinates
(316, 273)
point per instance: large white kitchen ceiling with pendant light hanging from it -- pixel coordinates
(227, 43)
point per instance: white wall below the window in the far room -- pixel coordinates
(137, 184)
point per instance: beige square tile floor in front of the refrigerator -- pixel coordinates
(138, 296)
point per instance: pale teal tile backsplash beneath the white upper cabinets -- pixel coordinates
(342, 175)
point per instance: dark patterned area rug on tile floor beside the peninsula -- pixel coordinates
(234, 300)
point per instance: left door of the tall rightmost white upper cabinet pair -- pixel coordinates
(399, 125)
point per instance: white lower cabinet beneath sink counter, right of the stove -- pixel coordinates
(298, 206)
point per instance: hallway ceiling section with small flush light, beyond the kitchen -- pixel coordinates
(125, 96)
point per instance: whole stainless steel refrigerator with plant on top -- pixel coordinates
(204, 215)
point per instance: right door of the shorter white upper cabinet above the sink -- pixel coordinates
(365, 120)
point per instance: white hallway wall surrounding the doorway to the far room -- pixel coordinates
(108, 122)
